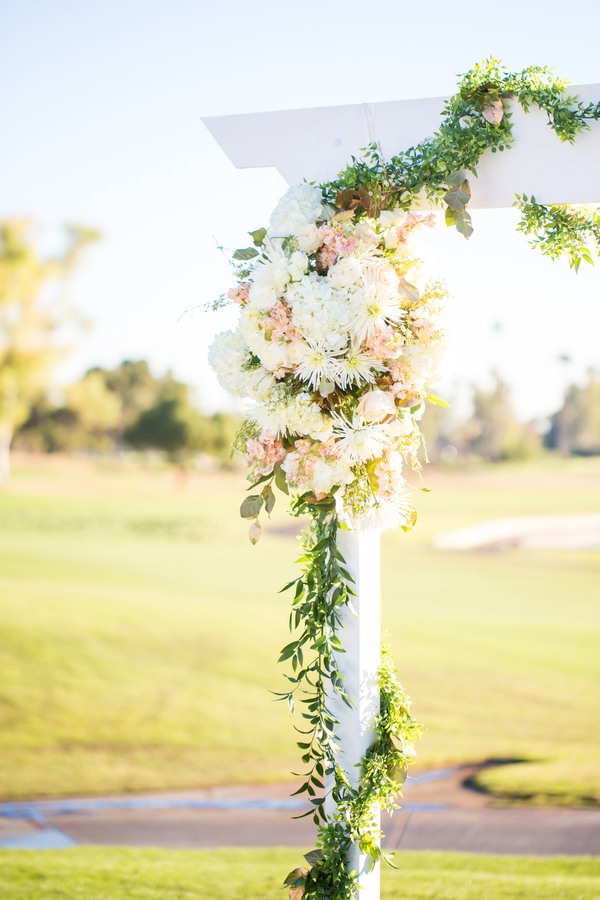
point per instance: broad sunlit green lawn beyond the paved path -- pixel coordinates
(139, 632)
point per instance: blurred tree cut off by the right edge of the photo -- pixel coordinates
(575, 428)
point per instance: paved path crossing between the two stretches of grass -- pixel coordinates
(438, 813)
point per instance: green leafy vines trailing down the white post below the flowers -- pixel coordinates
(320, 593)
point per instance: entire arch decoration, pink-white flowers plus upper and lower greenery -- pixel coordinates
(336, 348)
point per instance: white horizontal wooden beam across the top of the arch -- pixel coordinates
(316, 144)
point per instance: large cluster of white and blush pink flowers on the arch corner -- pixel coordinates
(337, 346)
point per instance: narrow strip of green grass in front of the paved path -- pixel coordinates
(107, 874)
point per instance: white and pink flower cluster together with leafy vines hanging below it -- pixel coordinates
(336, 347)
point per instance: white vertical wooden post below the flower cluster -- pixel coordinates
(359, 665)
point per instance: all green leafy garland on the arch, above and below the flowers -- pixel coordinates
(475, 120)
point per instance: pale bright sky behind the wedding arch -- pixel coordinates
(101, 111)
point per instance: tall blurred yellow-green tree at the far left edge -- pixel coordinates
(35, 319)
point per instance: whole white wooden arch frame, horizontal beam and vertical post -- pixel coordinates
(315, 144)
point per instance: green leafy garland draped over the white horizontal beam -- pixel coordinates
(475, 120)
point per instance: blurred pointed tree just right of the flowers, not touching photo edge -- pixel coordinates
(494, 431)
